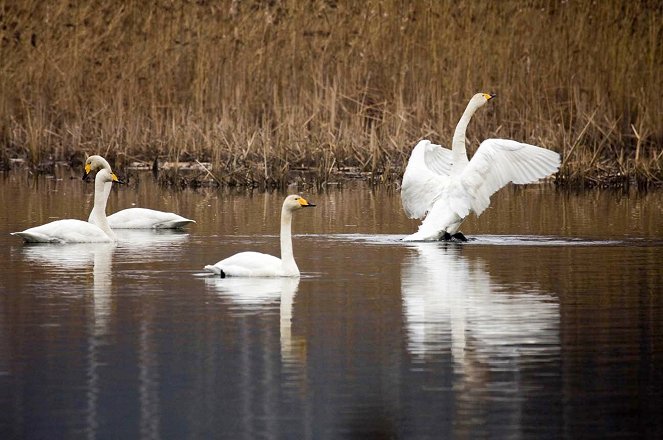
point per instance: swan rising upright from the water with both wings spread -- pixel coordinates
(443, 186)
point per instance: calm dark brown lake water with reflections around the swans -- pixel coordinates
(549, 324)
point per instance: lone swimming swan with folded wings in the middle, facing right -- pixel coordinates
(256, 264)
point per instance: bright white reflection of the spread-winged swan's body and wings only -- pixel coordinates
(448, 298)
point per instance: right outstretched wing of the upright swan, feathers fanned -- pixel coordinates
(500, 161)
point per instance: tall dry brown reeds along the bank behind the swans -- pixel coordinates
(267, 93)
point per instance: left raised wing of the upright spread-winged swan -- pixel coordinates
(426, 173)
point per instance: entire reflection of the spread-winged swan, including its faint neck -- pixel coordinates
(493, 331)
